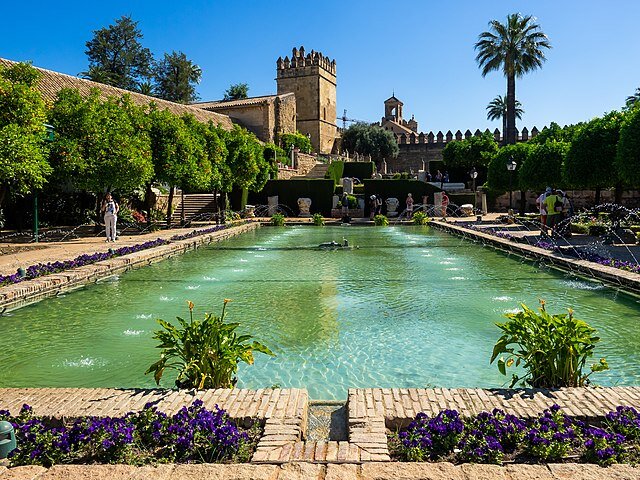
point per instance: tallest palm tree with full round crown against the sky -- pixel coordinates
(515, 47)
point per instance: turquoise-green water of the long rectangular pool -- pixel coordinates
(412, 307)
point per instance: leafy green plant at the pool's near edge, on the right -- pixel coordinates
(552, 349)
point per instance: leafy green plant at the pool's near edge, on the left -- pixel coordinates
(206, 353)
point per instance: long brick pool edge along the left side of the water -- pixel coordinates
(20, 294)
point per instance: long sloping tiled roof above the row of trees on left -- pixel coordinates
(52, 82)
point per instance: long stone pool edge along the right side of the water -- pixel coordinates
(611, 275)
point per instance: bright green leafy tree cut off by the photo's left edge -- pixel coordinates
(23, 164)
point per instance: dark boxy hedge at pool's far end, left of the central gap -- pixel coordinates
(320, 191)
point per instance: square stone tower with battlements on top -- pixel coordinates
(312, 78)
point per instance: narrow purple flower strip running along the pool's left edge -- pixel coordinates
(40, 269)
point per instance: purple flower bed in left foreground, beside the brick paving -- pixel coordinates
(193, 435)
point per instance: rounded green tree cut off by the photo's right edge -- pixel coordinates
(628, 156)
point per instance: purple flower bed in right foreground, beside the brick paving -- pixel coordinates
(497, 437)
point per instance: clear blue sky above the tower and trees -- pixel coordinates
(422, 50)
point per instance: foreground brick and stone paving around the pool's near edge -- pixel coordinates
(283, 453)
